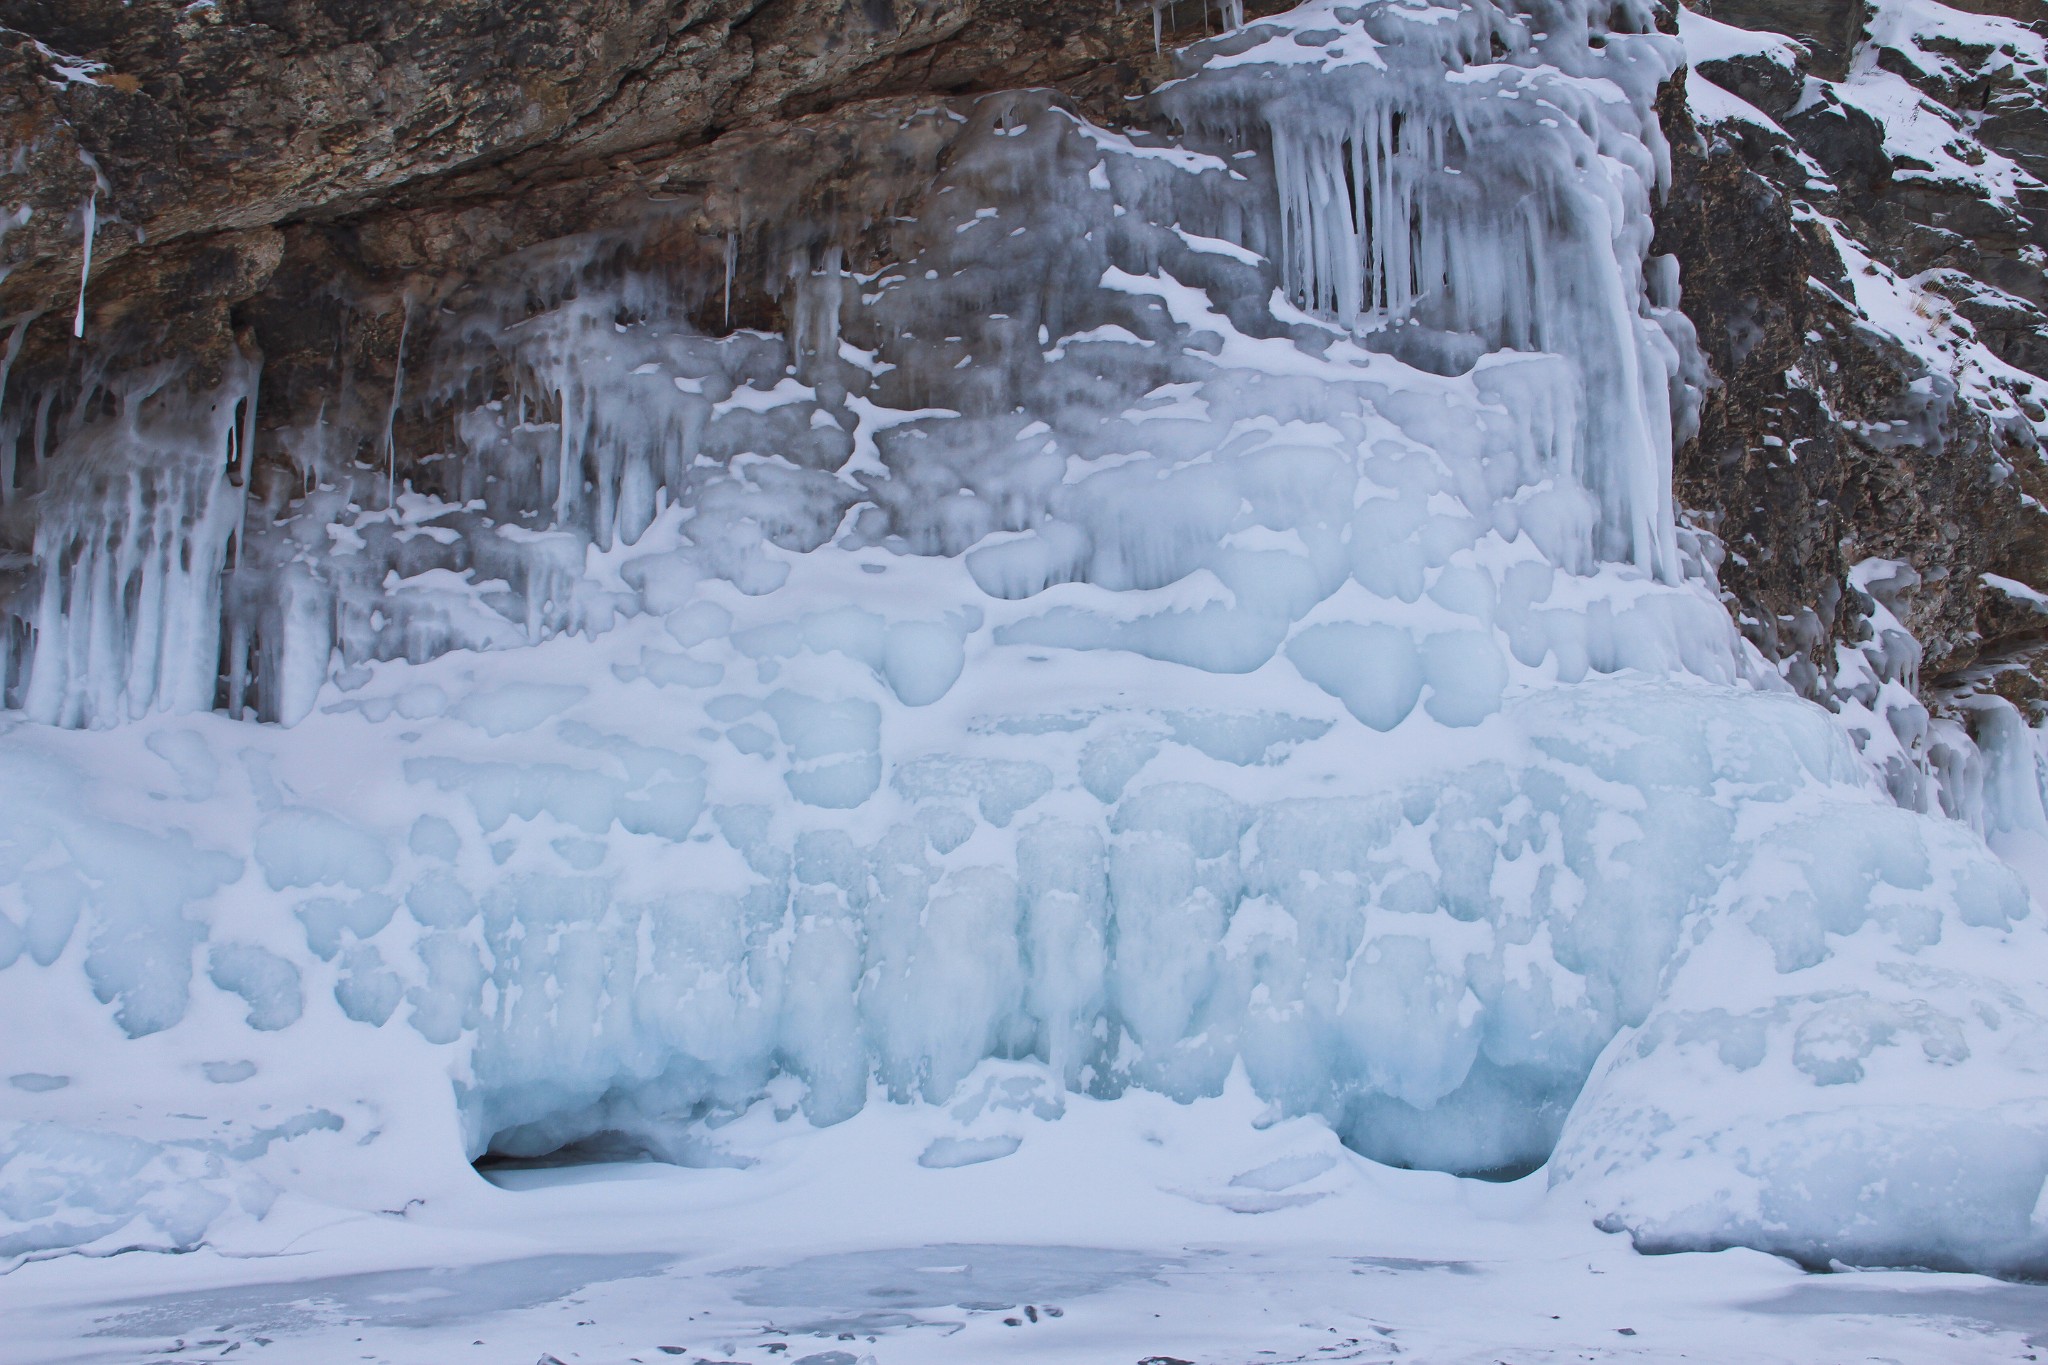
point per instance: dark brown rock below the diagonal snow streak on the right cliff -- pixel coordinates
(1816, 449)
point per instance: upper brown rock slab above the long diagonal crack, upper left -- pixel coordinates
(251, 114)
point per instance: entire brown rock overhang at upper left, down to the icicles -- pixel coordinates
(415, 138)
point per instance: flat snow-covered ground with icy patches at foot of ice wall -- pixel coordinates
(1121, 1233)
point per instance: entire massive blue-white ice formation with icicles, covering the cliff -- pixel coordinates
(1199, 605)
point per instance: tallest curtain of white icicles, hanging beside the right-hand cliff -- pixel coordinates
(1449, 187)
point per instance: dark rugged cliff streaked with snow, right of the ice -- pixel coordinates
(1830, 441)
